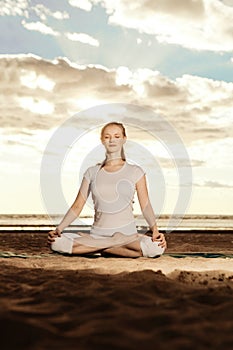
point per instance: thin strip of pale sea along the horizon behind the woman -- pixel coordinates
(167, 223)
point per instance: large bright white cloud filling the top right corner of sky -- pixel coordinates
(199, 25)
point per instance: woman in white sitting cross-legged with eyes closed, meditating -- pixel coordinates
(112, 184)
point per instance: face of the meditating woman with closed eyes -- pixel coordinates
(113, 138)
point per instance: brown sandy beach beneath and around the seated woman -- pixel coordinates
(53, 301)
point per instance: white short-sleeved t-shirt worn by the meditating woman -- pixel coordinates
(112, 194)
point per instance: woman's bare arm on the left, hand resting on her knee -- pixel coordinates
(73, 212)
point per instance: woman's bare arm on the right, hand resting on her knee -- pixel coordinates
(148, 212)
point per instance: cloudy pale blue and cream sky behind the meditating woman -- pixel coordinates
(162, 67)
